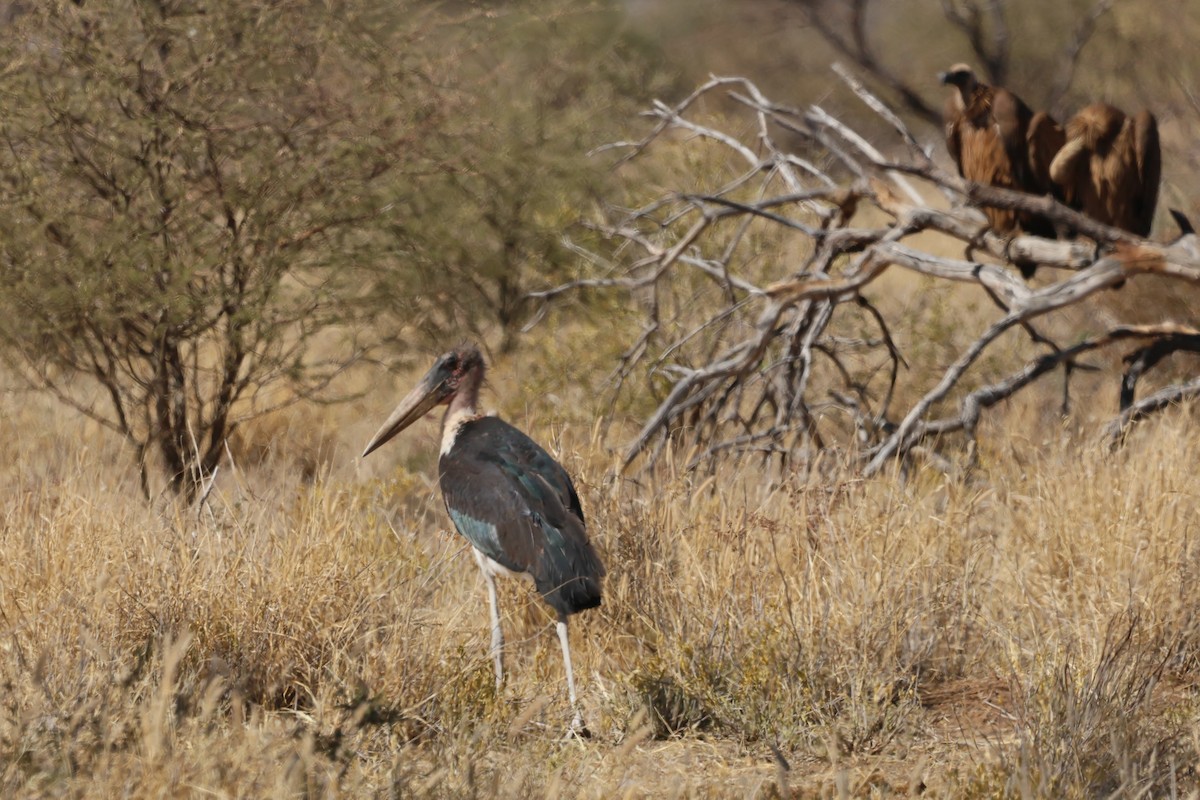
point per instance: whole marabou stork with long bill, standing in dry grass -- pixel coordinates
(513, 502)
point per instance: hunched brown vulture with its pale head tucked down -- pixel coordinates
(1111, 167)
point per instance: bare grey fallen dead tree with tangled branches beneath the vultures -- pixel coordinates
(799, 363)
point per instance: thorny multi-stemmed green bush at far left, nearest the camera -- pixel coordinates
(188, 207)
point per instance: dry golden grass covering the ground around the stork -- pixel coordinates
(317, 630)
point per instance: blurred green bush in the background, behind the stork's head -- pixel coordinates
(524, 95)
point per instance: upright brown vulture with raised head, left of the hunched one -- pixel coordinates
(997, 140)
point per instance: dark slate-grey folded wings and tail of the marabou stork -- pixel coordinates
(519, 507)
